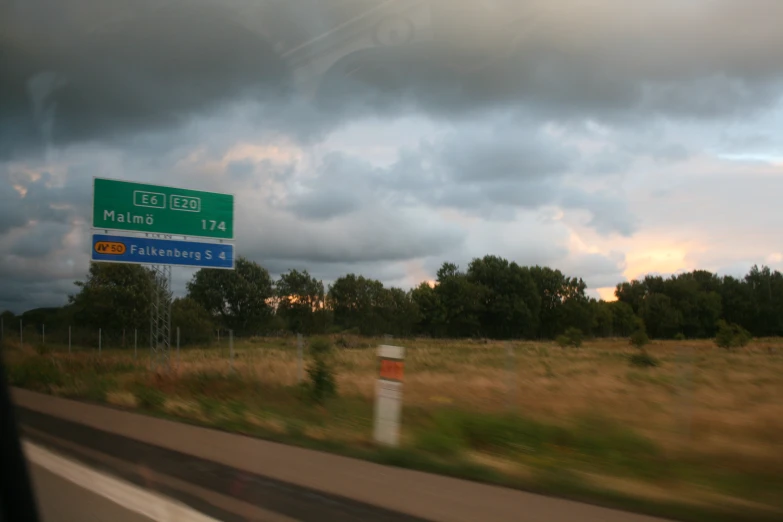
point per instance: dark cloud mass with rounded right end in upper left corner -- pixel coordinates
(94, 69)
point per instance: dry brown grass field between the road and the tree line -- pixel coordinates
(713, 418)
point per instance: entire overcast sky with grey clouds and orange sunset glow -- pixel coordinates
(607, 138)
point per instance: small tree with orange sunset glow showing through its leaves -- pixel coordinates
(301, 302)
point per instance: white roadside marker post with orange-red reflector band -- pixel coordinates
(388, 394)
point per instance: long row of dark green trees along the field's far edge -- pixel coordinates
(491, 298)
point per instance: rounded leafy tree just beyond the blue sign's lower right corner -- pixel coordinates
(239, 298)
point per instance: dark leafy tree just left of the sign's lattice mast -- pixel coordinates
(113, 296)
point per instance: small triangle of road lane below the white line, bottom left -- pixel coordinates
(60, 500)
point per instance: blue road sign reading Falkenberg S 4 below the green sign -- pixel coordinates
(151, 251)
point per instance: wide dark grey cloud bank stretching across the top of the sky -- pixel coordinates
(95, 70)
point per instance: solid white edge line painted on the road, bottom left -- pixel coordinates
(130, 497)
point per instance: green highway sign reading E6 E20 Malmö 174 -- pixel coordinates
(139, 207)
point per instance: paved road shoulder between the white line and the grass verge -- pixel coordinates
(232, 477)
